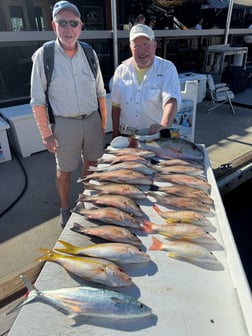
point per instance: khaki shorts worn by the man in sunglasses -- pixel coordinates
(78, 139)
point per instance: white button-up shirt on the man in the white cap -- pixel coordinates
(142, 105)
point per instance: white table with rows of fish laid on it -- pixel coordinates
(186, 299)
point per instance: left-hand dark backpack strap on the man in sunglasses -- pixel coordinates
(48, 57)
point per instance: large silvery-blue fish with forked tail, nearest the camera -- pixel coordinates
(88, 301)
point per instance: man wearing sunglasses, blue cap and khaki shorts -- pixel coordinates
(74, 94)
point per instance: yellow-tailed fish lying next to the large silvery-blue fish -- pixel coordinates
(91, 269)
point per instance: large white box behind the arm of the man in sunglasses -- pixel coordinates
(24, 133)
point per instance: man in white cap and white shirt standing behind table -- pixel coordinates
(145, 88)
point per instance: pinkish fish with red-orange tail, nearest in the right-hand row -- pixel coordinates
(187, 251)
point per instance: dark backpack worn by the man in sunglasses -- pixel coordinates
(48, 57)
